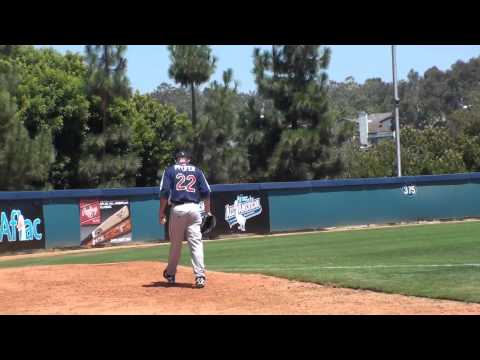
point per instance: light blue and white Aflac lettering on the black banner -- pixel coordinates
(25, 228)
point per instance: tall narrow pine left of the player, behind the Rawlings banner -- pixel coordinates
(109, 157)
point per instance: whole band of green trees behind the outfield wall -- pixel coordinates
(70, 120)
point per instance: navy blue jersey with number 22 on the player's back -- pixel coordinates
(184, 183)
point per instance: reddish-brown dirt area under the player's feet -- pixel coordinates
(139, 288)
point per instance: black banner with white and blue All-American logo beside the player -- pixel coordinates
(241, 212)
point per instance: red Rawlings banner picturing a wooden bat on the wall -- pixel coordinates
(104, 222)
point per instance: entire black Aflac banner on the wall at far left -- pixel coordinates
(22, 226)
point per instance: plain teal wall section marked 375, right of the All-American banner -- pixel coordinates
(373, 201)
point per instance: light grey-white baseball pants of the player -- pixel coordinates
(184, 224)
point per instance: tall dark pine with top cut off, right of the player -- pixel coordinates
(294, 78)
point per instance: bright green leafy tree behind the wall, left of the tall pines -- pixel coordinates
(51, 96)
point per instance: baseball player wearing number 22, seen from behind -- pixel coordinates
(183, 186)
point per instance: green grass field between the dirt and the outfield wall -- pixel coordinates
(437, 261)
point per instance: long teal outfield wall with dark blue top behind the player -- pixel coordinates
(270, 207)
